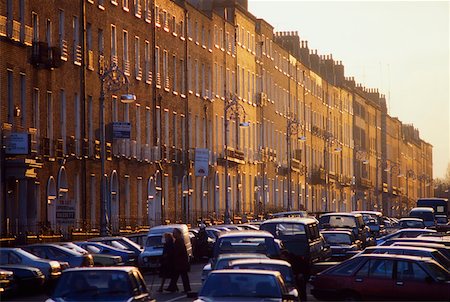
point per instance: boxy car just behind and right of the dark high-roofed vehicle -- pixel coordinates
(352, 221)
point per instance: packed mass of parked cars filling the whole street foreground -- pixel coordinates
(292, 257)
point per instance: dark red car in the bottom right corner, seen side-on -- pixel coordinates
(383, 277)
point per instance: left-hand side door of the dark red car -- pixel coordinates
(374, 280)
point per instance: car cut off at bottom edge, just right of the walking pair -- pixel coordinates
(244, 285)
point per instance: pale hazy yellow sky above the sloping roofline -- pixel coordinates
(400, 47)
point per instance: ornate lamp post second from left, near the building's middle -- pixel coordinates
(233, 109)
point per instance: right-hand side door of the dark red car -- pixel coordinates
(410, 283)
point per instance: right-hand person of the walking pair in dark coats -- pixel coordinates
(181, 263)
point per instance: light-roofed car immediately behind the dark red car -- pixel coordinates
(410, 251)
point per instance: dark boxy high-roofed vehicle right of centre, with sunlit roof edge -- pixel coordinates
(301, 238)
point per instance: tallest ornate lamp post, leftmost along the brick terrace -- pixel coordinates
(111, 80)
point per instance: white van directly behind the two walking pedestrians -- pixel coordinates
(150, 258)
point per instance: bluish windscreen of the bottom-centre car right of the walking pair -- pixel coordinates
(241, 285)
